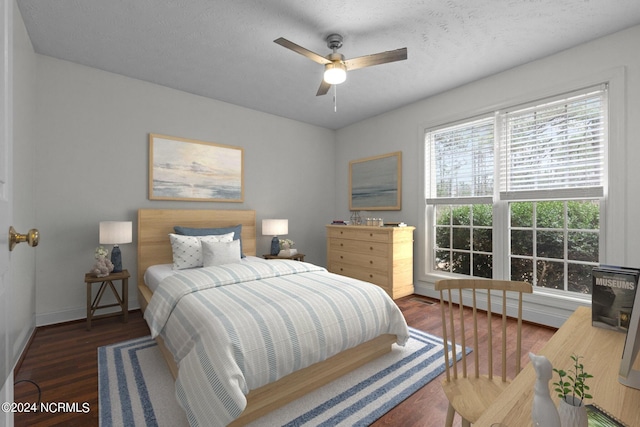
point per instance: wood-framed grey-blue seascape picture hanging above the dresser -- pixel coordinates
(375, 183)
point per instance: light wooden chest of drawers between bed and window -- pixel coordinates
(380, 255)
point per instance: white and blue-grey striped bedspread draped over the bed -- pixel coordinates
(237, 327)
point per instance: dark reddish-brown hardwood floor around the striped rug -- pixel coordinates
(62, 360)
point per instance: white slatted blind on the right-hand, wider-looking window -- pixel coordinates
(555, 149)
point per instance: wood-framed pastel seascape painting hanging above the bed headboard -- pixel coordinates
(186, 169)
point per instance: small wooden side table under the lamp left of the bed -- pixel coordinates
(107, 282)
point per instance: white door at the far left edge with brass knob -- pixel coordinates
(6, 141)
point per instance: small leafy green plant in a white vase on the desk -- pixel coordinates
(572, 390)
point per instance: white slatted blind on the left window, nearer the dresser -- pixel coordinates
(461, 162)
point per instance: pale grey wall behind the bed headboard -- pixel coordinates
(92, 154)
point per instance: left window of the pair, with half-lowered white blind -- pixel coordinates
(461, 179)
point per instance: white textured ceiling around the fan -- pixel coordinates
(223, 49)
